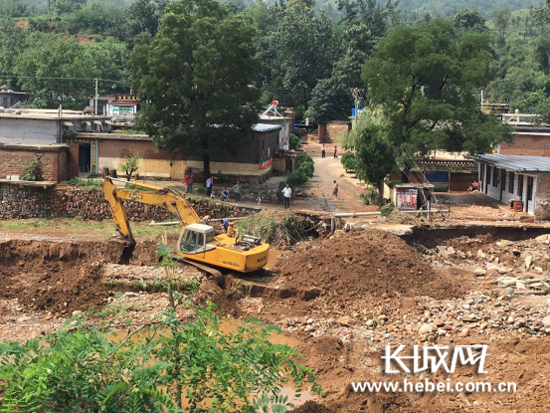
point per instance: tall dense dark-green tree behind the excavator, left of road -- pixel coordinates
(195, 76)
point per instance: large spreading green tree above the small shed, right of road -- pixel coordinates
(427, 78)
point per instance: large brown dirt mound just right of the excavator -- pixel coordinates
(366, 263)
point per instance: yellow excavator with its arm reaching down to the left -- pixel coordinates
(197, 241)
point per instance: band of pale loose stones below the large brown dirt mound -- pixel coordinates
(431, 320)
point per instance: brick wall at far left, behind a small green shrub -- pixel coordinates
(53, 160)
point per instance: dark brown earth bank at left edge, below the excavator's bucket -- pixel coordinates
(60, 276)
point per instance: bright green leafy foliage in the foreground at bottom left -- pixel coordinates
(85, 367)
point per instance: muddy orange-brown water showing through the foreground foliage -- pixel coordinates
(227, 327)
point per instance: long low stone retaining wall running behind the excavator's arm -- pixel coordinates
(68, 201)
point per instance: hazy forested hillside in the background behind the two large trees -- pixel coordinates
(54, 50)
